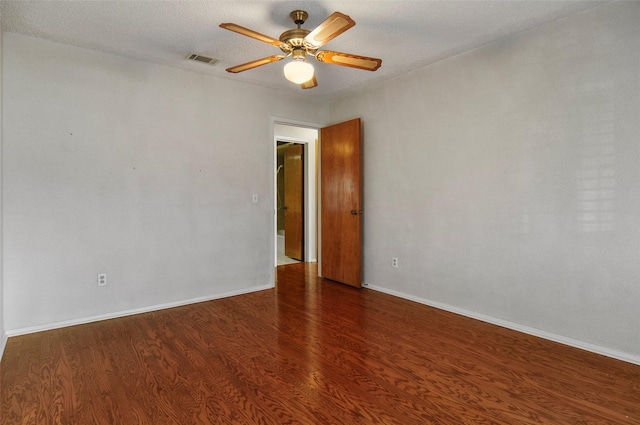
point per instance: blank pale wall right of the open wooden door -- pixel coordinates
(507, 181)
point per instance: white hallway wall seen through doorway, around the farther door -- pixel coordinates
(309, 137)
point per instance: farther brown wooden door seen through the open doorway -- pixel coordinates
(294, 202)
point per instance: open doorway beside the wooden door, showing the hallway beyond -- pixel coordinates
(296, 211)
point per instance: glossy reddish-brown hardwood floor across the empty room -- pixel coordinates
(308, 352)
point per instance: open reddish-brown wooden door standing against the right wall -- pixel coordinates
(341, 202)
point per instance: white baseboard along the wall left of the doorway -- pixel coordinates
(83, 320)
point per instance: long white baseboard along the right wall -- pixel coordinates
(619, 355)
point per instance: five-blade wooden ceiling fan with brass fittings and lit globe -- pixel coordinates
(300, 43)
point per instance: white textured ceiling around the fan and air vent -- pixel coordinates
(404, 34)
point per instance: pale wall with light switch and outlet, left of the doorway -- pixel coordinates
(141, 171)
